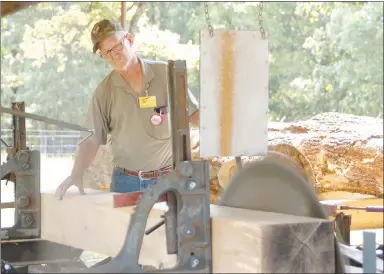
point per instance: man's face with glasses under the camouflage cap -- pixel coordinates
(117, 50)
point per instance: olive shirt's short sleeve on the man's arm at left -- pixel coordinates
(97, 118)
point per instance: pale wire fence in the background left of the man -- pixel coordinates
(51, 143)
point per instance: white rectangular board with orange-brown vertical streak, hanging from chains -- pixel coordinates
(233, 93)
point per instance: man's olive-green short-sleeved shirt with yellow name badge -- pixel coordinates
(136, 143)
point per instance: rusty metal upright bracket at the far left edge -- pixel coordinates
(23, 168)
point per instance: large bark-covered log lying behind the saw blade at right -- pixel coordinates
(345, 151)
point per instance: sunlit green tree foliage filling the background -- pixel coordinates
(323, 56)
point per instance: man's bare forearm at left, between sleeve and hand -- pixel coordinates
(84, 158)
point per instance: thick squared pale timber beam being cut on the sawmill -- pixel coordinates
(243, 241)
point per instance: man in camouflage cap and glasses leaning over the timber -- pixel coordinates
(130, 104)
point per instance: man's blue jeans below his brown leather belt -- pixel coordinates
(123, 183)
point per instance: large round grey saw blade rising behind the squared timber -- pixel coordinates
(276, 184)
